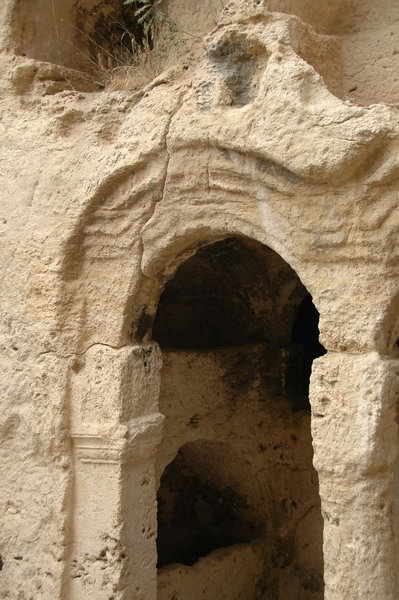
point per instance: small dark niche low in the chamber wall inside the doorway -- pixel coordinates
(199, 509)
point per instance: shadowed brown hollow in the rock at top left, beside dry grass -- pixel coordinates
(95, 36)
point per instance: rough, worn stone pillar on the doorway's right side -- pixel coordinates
(356, 445)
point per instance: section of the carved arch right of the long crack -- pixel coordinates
(199, 207)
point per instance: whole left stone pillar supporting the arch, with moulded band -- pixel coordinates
(116, 432)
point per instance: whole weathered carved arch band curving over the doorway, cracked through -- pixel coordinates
(134, 231)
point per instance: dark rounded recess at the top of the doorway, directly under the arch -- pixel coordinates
(237, 291)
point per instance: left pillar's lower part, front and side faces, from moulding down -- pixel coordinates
(114, 524)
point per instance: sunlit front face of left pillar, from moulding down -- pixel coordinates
(96, 551)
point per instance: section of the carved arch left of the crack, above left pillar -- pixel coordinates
(102, 258)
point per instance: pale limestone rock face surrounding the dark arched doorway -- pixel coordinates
(278, 121)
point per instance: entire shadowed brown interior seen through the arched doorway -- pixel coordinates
(238, 504)
